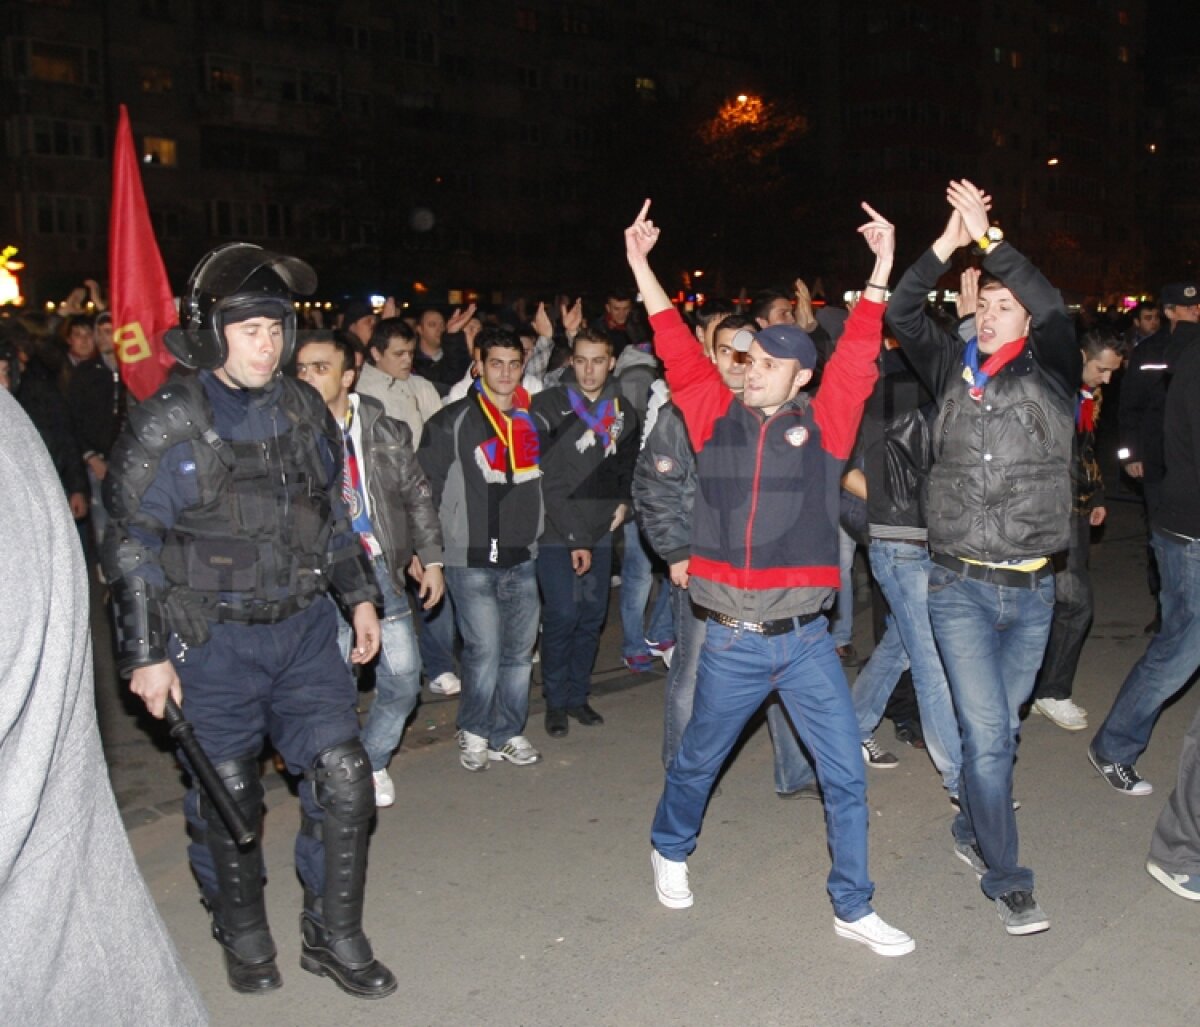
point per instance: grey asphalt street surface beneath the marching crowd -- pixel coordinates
(525, 897)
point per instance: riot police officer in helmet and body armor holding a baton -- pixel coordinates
(229, 527)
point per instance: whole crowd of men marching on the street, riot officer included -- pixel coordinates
(459, 479)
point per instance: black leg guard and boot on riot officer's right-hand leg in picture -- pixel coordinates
(333, 942)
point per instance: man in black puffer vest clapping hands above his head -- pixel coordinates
(998, 507)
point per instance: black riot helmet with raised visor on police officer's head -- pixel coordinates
(232, 284)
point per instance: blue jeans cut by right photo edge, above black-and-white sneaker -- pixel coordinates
(1171, 659)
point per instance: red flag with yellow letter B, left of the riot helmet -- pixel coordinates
(143, 305)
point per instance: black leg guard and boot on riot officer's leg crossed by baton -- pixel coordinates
(239, 914)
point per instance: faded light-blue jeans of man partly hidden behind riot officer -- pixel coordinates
(398, 674)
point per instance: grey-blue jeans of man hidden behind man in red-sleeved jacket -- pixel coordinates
(793, 768)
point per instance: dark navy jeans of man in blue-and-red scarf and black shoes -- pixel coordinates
(574, 609)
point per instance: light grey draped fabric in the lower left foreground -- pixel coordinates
(81, 940)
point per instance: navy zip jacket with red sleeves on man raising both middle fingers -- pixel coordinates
(766, 514)
